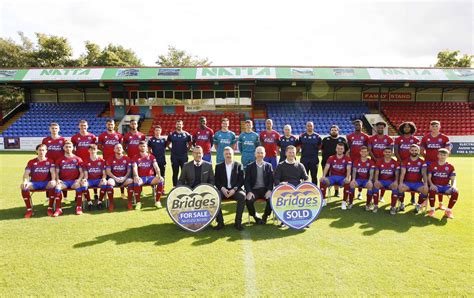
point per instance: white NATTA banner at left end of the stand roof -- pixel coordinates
(64, 74)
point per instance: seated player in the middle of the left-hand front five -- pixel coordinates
(94, 177)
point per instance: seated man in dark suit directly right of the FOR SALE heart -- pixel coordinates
(229, 181)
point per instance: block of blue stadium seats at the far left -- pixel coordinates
(35, 122)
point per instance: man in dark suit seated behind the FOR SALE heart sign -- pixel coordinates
(196, 171)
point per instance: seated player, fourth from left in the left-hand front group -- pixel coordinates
(118, 169)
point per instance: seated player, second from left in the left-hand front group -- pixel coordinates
(69, 176)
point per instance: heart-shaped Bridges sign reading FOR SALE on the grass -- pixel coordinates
(193, 209)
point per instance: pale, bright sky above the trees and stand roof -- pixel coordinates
(342, 33)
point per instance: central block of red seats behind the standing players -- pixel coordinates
(191, 121)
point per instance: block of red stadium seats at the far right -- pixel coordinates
(457, 118)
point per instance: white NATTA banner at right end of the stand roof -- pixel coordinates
(409, 74)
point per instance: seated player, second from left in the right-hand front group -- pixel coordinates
(362, 175)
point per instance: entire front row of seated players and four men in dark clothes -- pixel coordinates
(234, 181)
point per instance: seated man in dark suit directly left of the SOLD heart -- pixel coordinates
(259, 184)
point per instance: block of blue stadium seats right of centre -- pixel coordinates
(323, 114)
